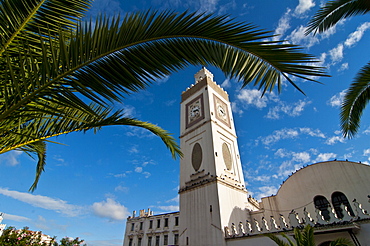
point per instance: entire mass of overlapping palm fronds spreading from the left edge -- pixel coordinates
(59, 74)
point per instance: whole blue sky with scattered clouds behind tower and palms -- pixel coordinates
(94, 181)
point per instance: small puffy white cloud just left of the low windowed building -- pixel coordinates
(110, 209)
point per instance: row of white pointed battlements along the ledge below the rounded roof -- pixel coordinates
(293, 220)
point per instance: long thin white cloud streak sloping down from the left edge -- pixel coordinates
(44, 202)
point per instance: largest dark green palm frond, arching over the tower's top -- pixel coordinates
(104, 63)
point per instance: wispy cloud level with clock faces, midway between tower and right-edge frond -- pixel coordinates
(293, 110)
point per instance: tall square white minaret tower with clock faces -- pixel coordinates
(212, 191)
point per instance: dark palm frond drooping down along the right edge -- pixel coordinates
(355, 101)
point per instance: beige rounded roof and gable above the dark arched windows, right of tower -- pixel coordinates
(324, 178)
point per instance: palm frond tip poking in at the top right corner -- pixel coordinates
(334, 11)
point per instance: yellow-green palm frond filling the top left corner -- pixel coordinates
(28, 20)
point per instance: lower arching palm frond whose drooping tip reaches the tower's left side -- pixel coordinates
(37, 127)
